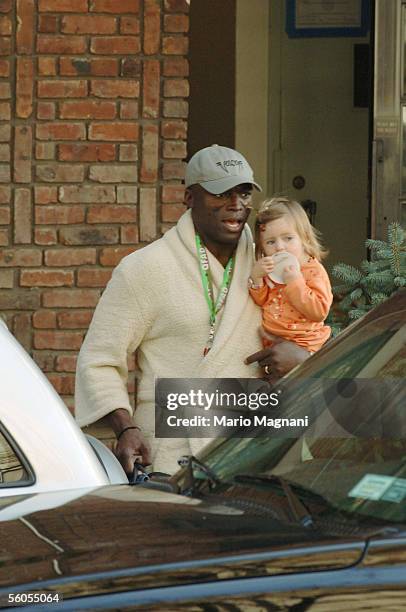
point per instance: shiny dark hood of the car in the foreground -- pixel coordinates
(120, 537)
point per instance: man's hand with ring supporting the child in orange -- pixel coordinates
(279, 358)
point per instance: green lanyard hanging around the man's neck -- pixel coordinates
(214, 307)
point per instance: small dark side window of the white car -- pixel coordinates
(14, 469)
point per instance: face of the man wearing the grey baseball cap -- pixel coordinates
(219, 219)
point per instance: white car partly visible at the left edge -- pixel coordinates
(41, 446)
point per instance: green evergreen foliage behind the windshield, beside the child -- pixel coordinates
(361, 290)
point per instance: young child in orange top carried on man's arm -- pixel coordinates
(296, 309)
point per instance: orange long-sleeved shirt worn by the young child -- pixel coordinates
(297, 311)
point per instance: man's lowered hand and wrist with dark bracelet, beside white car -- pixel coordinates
(131, 447)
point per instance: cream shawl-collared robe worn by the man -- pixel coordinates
(154, 304)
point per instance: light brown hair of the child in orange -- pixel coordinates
(279, 207)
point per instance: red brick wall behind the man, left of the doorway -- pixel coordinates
(93, 120)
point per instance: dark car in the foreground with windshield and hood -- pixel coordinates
(316, 522)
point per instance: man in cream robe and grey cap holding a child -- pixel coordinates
(182, 321)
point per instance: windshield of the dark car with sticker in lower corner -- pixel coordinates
(362, 469)
